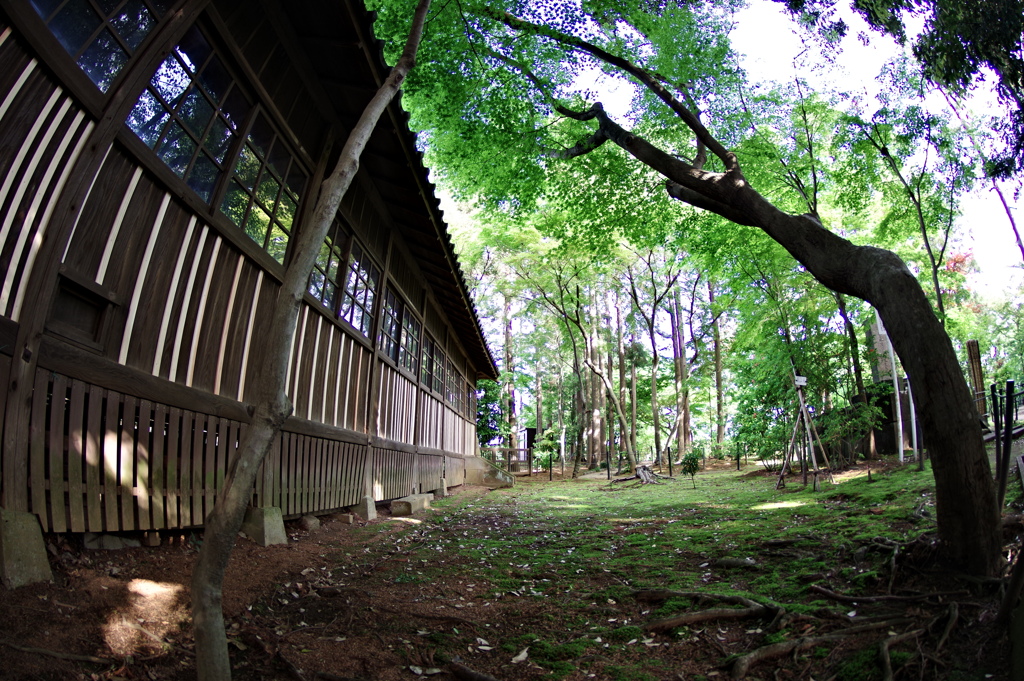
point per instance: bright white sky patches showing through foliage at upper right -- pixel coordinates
(772, 47)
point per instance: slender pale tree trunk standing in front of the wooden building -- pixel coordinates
(273, 407)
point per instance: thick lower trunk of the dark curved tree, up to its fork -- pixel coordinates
(966, 509)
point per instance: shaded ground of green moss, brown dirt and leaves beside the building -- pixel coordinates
(726, 577)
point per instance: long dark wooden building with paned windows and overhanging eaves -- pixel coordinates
(156, 159)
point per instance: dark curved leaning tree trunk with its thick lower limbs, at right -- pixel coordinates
(966, 510)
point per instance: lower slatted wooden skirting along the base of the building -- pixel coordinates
(103, 461)
